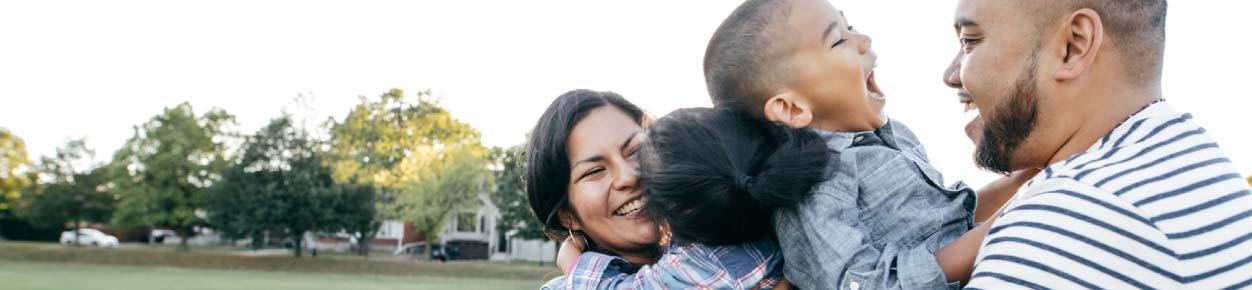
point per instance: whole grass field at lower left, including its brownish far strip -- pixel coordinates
(38, 266)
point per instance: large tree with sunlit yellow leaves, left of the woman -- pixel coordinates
(398, 148)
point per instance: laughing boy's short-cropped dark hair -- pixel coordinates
(746, 62)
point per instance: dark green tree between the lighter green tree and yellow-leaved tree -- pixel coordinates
(279, 184)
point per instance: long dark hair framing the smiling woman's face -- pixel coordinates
(548, 162)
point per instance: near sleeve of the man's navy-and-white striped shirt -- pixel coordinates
(1067, 234)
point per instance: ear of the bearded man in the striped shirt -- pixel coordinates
(1084, 36)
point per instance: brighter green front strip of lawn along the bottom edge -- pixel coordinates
(29, 276)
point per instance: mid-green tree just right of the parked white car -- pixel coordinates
(166, 169)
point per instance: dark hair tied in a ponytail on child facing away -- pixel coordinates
(717, 176)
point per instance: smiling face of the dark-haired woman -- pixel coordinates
(604, 184)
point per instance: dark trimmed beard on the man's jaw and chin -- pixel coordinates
(1008, 128)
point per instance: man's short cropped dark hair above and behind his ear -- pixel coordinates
(1136, 27)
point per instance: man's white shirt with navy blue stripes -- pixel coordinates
(1154, 206)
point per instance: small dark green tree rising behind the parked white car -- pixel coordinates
(76, 192)
